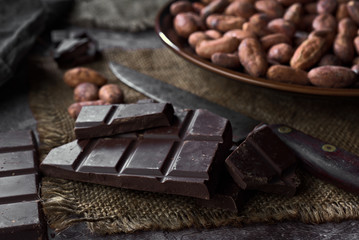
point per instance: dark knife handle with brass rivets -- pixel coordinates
(321, 159)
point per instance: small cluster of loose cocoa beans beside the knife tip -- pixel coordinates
(90, 88)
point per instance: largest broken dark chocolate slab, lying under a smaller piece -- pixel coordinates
(185, 158)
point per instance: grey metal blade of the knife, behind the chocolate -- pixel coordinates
(163, 92)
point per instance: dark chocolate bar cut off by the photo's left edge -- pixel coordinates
(20, 211)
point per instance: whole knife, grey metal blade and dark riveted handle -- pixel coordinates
(323, 160)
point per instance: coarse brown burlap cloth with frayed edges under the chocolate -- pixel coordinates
(110, 210)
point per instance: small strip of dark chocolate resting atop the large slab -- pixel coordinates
(106, 120)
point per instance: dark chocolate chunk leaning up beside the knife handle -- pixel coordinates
(260, 161)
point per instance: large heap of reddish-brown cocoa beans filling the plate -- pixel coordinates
(293, 41)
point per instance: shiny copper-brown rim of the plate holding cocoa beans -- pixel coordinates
(180, 46)
